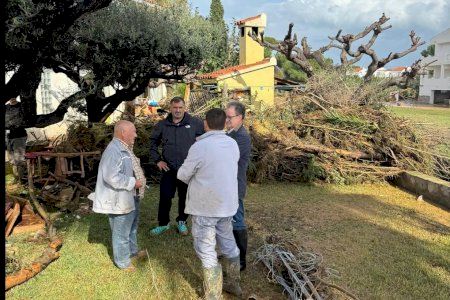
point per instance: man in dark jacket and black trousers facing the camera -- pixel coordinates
(175, 134)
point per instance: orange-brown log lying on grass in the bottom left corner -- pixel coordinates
(50, 254)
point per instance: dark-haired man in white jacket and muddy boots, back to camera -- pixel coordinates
(210, 170)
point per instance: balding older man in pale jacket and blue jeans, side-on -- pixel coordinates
(120, 184)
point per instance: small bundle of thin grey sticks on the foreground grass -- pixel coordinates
(301, 273)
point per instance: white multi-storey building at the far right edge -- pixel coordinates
(435, 84)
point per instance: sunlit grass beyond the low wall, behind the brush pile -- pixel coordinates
(433, 124)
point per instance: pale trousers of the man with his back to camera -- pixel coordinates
(209, 230)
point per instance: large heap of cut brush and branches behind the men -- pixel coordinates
(337, 130)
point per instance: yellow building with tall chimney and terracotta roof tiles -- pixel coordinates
(254, 74)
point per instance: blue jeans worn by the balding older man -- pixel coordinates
(124, 236)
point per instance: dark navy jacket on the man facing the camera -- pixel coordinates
(175, 139)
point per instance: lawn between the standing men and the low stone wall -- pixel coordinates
(382, 250)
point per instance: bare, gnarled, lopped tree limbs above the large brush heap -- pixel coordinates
(303, 54)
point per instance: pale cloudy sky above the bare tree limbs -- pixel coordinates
(318, 19)
